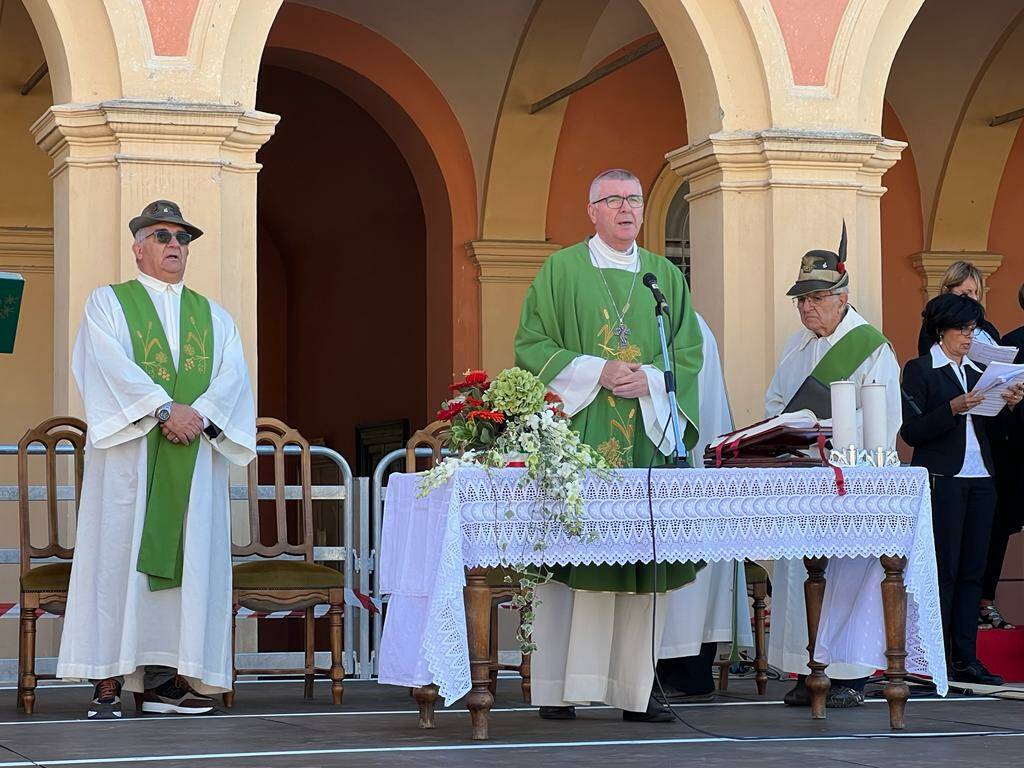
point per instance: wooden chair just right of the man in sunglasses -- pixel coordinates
(279, 584)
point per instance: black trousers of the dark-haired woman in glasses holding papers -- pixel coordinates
(962, 522)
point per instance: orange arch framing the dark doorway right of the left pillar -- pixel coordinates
(402, 98)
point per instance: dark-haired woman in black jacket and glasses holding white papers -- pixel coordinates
(956, 450)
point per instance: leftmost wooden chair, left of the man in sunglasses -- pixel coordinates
(44, 587)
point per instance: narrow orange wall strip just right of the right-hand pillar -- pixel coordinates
(903, 236)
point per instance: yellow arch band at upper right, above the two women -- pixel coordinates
(962, 214)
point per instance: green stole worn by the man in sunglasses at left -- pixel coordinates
(170, 465)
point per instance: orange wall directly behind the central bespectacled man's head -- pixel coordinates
(629, 119)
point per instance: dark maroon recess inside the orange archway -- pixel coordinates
(351, 234)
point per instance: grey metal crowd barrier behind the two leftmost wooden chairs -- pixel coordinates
(346, 553)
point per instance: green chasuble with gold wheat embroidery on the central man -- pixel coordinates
(567, 314)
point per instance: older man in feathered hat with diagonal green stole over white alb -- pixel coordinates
(836, 345)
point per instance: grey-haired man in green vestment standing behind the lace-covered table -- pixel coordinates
(588, 329)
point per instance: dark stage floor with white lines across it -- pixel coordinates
(273, 727)
